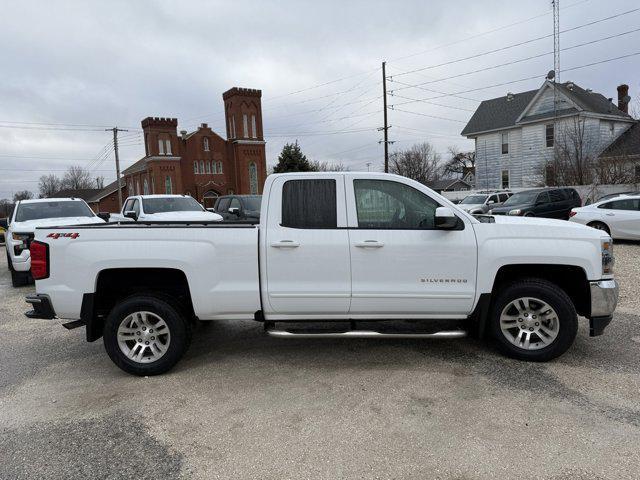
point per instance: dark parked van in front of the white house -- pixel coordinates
(544, 202)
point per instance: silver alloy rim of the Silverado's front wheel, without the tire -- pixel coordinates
(529, 323)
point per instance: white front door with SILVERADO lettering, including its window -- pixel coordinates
(401, 264)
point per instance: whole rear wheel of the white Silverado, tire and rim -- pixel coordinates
(146, 335)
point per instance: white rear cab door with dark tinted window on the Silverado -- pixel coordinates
(307, 247)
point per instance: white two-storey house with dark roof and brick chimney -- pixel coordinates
(515, 134)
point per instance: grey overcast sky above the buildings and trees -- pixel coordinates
(89, 65)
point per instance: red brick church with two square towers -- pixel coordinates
(202, 163)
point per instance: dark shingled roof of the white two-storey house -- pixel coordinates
(499, 113)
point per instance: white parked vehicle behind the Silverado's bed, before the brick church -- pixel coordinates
(164, 208)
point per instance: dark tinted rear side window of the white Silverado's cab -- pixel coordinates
(309, 204)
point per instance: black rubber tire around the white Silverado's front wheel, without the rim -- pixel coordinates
(556, 298)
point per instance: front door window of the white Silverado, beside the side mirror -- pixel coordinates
(384, 204)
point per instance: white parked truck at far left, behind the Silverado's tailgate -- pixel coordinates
(30, 214)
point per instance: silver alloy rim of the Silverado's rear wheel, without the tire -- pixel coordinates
(143, 337)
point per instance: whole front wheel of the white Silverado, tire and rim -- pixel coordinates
(533, 320)
